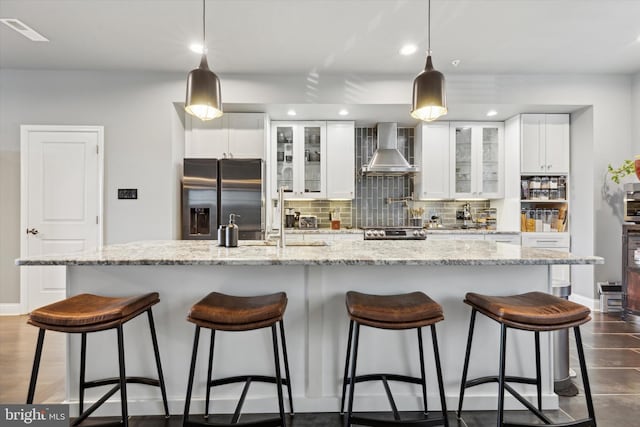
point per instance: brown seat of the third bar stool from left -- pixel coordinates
(404, 311)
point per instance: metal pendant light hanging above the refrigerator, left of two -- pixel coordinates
(203, 86)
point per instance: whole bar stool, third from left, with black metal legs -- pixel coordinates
(395, 312)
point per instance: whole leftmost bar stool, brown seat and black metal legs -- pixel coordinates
(85, 313)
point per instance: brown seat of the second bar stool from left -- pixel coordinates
(233, 313)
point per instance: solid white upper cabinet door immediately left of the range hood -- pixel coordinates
(341, 179)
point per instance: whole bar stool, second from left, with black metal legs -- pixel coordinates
(223, 312)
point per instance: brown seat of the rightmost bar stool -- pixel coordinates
(534, 311)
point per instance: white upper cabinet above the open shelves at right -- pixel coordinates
(544, 143)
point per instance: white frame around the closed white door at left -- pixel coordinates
(24, 188)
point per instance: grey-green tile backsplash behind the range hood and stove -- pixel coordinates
(371, 206)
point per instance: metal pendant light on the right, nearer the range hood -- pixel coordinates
(429, 98)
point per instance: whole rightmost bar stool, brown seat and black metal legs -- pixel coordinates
(536, 312)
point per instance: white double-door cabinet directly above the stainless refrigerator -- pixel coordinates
(234, 135)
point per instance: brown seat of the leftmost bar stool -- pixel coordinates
(90, 313)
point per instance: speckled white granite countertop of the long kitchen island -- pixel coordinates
(361, 252)
